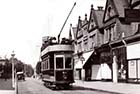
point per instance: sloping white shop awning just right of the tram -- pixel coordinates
(82, 62)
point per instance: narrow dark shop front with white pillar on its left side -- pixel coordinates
(121, 64)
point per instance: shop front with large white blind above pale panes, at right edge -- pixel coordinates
(133, 59)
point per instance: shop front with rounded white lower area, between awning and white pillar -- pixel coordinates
(105, 62)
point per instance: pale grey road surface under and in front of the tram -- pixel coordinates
(35, 86)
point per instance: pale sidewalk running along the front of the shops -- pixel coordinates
(123, 88)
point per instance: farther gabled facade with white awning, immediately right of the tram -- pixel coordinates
(88, 37)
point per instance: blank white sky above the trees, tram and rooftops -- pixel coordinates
(23, 23)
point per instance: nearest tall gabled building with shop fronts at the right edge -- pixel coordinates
(121, 35)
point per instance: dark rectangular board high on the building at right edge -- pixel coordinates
(132, 15)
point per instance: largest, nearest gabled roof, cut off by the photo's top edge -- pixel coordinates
(116, 8)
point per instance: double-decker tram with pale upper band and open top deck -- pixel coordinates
(57, 64)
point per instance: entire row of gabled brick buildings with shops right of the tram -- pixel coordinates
(107, 45)
